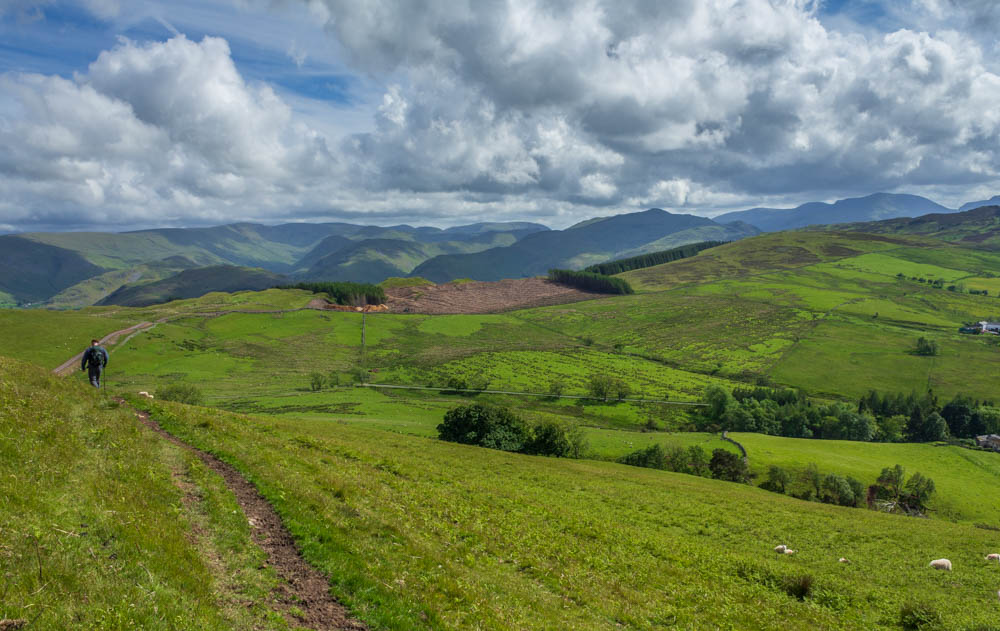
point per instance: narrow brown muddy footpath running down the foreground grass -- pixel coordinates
(303, 586)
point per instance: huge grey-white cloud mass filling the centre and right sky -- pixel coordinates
(756, 97)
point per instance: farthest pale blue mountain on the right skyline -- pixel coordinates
(870, 208)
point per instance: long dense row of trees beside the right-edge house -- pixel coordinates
(876, 417)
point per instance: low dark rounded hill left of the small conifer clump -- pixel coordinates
(194, 283)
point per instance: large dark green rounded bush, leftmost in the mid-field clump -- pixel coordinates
(484, 425)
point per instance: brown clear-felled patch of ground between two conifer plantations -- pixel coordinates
(483, 297)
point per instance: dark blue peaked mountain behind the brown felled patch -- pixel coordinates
(590, 242)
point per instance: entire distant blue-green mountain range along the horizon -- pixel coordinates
(75, 269)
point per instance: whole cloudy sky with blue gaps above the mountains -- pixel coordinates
(126, 114)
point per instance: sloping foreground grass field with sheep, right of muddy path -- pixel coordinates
(416, 533)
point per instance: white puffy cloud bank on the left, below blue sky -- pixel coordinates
(152, 132)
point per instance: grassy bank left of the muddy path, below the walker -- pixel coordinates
(96, 534)
